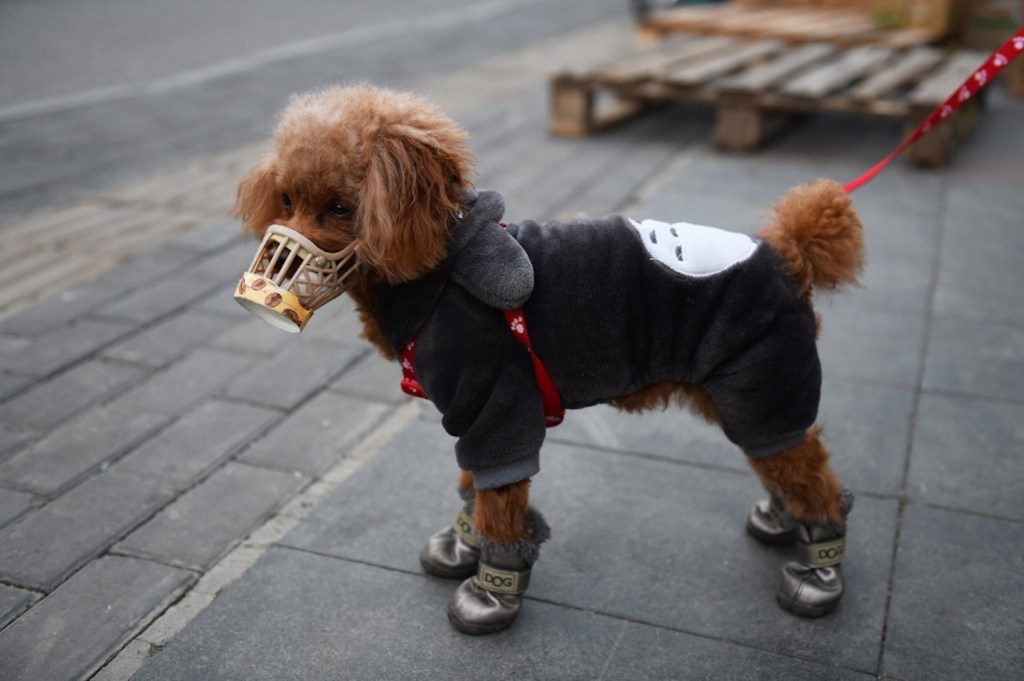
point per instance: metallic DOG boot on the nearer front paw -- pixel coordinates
(490, 602)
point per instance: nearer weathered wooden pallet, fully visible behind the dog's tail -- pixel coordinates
(748, 81)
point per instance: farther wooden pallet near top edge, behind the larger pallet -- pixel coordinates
(846, 25)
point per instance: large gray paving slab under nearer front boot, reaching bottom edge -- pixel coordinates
(372, 624)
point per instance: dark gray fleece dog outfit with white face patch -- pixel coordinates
(613, 307)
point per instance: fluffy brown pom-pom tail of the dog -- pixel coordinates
(820, 236)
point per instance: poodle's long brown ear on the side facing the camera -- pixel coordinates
(410, 198)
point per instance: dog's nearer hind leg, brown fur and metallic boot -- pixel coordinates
(812, 502)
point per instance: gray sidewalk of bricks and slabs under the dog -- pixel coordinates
(179, 502)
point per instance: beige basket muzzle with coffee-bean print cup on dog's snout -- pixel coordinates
(291, 277)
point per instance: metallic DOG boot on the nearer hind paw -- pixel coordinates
(813, 585)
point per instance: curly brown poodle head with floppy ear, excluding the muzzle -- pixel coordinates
(365, 166)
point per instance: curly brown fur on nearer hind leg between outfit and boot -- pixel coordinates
(802, 479)
